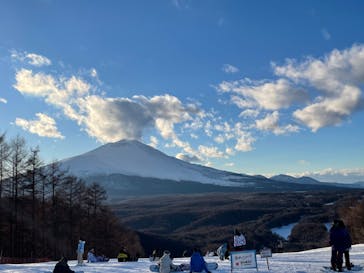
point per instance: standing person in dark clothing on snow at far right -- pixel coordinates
(339, 241)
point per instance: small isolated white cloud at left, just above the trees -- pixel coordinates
(43, 126)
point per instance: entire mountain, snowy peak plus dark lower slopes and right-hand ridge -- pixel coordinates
(131, 168)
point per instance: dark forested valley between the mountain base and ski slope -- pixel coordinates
(182, 222)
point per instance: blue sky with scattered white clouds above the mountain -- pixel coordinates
(257, 87)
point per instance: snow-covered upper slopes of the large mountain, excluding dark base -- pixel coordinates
(133, 158)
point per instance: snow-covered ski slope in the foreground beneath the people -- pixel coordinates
(311, 261)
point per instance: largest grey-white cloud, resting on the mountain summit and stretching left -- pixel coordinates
(107, 119)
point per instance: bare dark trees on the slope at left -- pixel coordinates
(44, 210)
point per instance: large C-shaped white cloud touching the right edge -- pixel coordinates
(337, 78)
